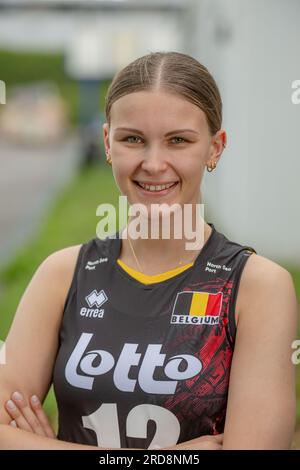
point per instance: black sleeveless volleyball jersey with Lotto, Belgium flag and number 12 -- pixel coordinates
(138, 364)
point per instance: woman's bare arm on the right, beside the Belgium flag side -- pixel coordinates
(261, 401)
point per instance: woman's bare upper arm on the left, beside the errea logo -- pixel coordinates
(32, 342)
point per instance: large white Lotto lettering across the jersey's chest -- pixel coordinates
(81, 369)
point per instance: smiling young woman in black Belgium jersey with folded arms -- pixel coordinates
(149, 344)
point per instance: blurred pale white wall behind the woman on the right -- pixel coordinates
(252, 48)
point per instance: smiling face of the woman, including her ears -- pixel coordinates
(159, 144)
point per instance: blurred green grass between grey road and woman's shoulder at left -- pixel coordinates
(72, 220)
